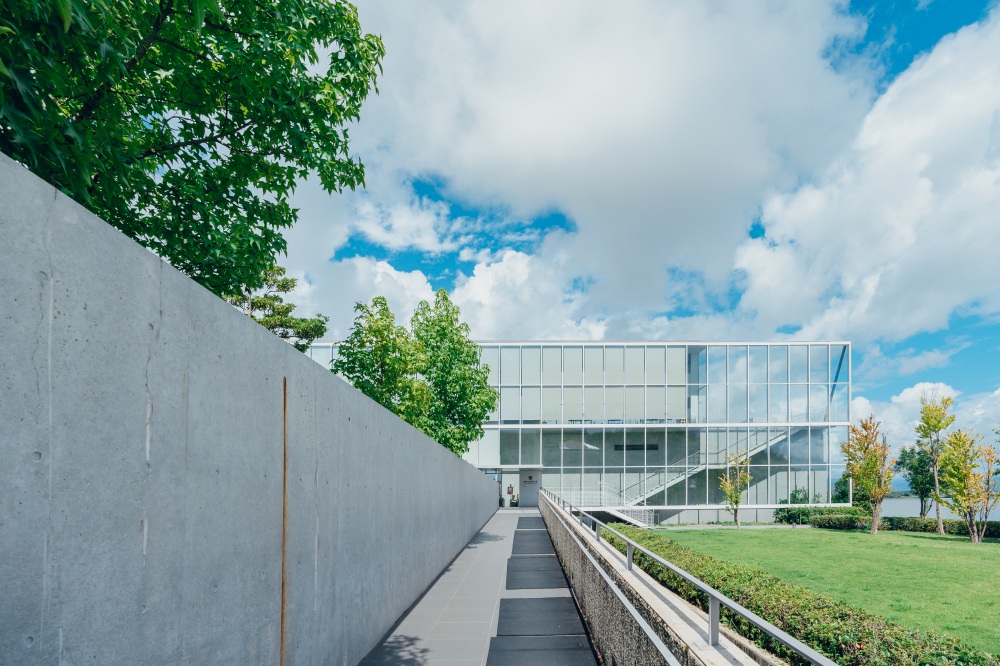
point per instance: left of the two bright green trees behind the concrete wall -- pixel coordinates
(381, 360)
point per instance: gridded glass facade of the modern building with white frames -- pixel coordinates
(651, 424)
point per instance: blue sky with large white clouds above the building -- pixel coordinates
(758, 170)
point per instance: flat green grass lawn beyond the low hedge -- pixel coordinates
(945, 584)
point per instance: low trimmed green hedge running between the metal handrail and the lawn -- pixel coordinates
(847, 635)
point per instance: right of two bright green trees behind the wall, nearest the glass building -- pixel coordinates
(460, 394)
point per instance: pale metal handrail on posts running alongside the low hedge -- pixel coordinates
(716, 599)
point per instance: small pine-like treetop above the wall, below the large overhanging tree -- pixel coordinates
(267, 307)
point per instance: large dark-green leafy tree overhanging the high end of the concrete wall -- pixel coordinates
(187, 123)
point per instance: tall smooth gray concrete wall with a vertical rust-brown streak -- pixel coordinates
(177, 485)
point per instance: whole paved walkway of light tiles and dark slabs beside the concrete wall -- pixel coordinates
(503, 600)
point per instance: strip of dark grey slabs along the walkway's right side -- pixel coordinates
(539, 622)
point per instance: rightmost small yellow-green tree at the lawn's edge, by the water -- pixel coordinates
(969, 480)
